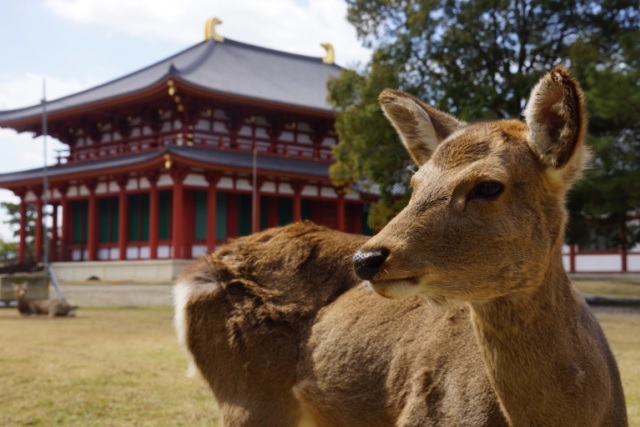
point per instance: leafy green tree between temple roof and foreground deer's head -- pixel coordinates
(474, 59)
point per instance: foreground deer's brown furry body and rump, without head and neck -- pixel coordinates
(280, 327)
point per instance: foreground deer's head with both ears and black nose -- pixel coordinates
(486, 216)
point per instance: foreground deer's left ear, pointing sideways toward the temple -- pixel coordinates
(420, 126)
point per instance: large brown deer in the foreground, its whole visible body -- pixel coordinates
(482, 326)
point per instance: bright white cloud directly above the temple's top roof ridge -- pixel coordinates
(280, 24)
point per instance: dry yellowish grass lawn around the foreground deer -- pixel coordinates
(123, 367)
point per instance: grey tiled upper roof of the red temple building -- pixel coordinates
(229, 68)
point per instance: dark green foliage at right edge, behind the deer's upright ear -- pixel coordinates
(611, 190)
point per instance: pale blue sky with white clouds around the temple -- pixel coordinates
(59, 47)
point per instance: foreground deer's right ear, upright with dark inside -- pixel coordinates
(557, 123)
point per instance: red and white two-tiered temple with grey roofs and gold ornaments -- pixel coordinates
(164, 164)
